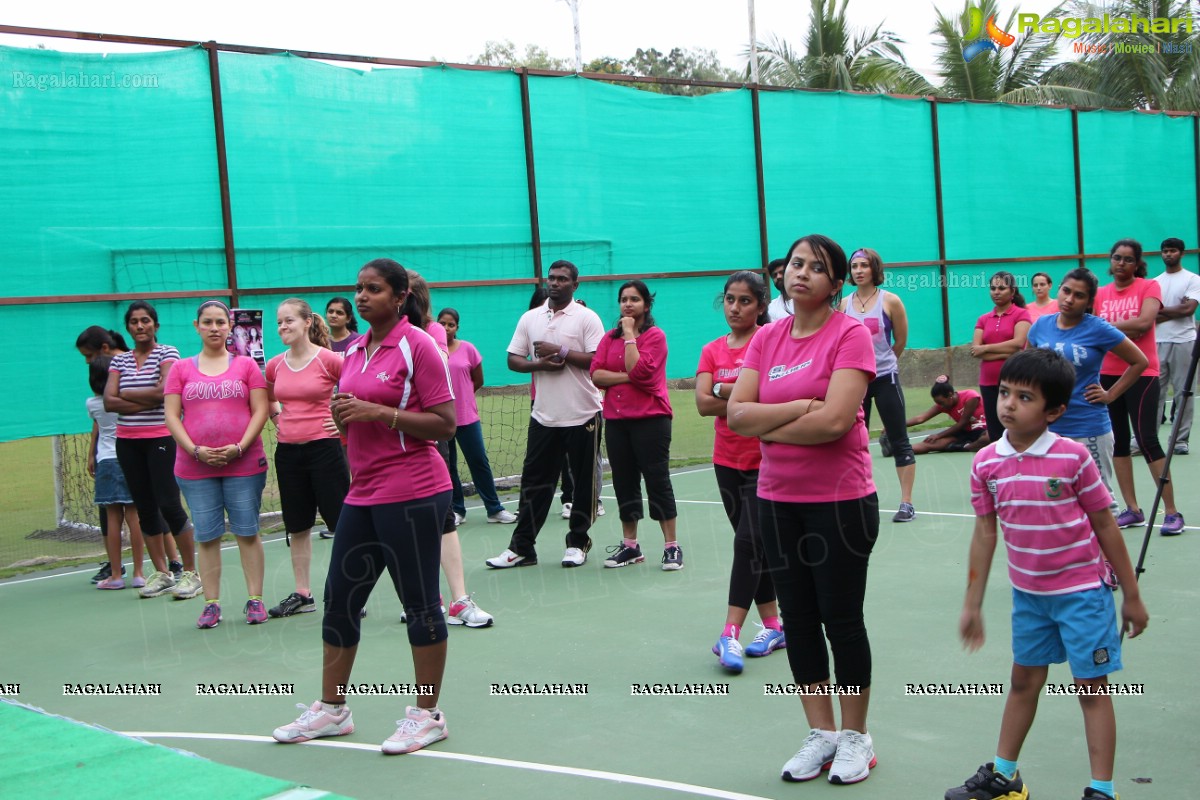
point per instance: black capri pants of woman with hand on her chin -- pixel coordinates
(641, 449)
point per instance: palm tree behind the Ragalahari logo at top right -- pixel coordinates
(1168, 79)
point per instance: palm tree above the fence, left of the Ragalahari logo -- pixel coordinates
(839, 58)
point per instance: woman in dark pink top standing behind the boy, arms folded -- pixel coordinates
(999, 334)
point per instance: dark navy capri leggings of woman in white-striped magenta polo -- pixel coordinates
(403, 538)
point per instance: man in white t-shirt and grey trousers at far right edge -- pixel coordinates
(1177, 334)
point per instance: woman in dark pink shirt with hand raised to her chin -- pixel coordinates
(631, 366)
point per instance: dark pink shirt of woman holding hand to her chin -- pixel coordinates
(646, 394)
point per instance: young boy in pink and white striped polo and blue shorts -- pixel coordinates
(1061, 539)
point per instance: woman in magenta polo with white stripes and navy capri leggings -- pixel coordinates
(394, 402)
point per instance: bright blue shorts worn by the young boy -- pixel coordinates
(1081, 628)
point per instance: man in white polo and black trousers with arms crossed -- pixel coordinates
(556, 342)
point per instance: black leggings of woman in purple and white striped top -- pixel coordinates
(149, 467)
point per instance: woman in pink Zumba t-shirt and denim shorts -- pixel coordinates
(217, 407)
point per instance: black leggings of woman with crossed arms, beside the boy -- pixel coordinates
(818, 555)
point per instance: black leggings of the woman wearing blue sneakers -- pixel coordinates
(749, 580)
